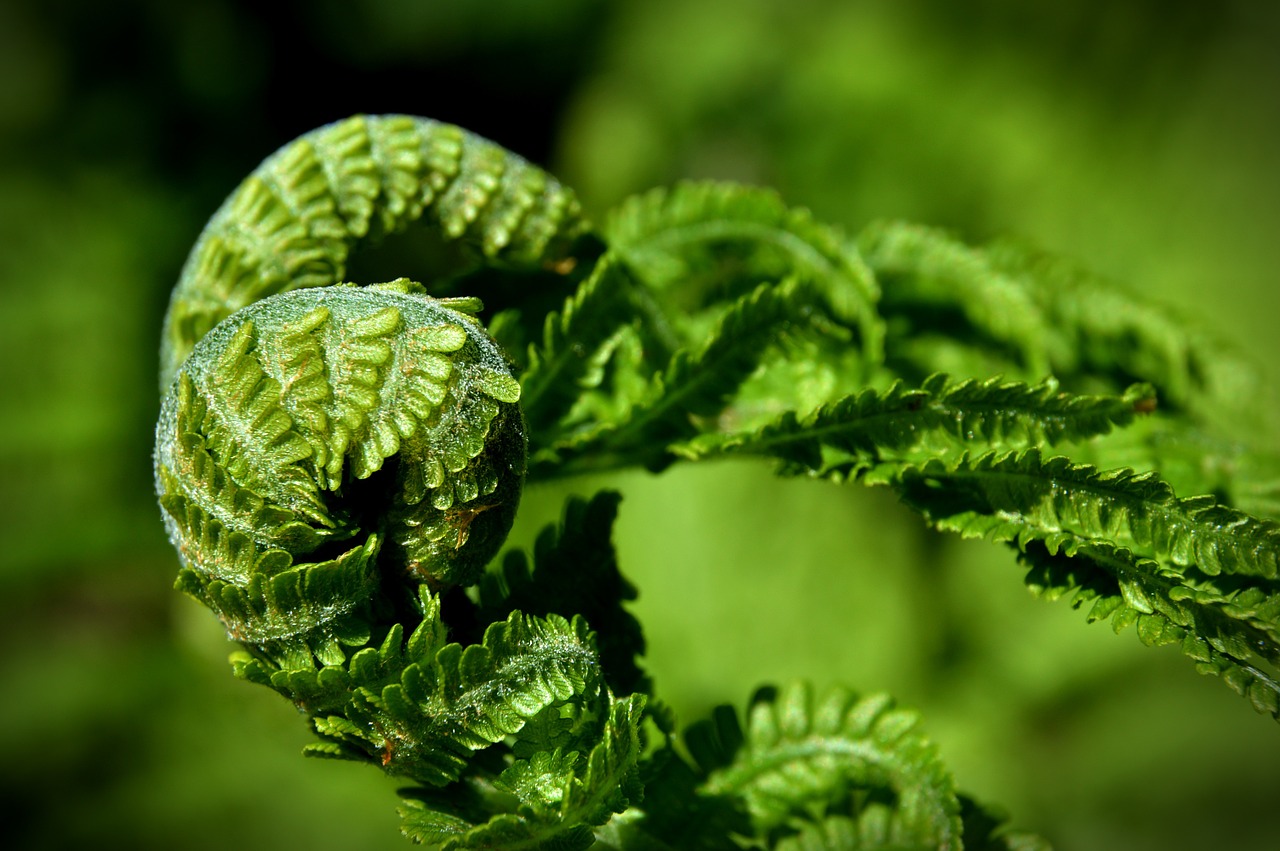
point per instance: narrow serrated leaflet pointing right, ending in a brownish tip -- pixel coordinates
(943, 415)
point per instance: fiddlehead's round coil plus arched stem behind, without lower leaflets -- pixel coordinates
(277, 418)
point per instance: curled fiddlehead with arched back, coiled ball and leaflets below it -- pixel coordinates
(333, 459)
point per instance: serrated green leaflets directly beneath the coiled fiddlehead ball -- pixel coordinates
(423, 708)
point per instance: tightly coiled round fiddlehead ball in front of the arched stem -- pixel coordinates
(286, 413)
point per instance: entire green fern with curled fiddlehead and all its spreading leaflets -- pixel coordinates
(339, 466)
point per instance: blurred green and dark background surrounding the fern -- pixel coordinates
(1141, 138)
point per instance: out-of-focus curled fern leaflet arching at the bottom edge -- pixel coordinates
(862, 760)
